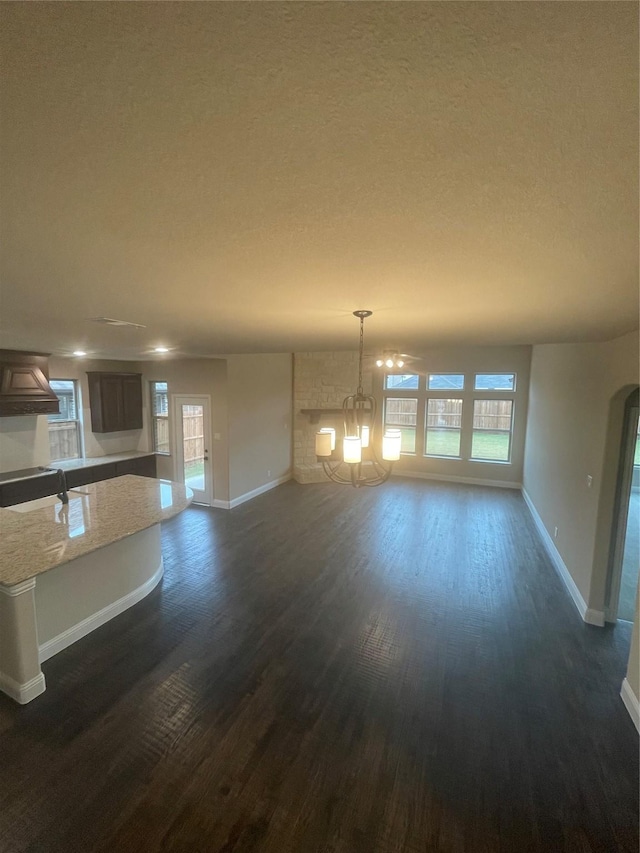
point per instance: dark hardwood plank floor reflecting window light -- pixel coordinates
(392, 670)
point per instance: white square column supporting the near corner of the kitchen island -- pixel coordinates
(20, 673)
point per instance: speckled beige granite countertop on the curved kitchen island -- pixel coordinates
(41, 534)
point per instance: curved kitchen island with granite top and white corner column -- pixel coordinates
(66, 569)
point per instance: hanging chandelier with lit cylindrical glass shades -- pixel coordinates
(360, 464)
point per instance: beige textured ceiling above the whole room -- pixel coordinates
(239, 177)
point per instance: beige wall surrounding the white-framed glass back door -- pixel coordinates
(187, 376)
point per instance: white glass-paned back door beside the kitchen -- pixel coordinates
(193, 440)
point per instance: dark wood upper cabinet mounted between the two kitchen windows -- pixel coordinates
(116, 401)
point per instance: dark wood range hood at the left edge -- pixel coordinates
(24, 384)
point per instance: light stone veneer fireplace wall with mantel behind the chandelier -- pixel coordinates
(321, 380)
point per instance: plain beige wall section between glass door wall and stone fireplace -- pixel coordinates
(260, 404)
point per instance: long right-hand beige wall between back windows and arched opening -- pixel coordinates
(571, 390)
